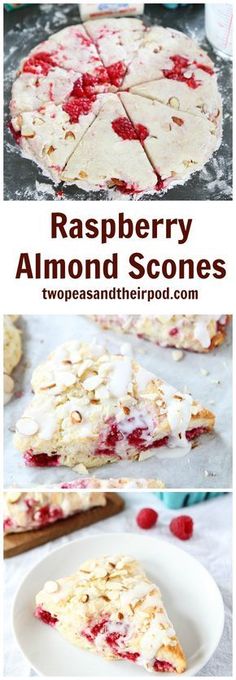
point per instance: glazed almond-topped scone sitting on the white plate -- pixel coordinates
(110, 607)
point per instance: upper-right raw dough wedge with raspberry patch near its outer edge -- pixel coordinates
(164, 52)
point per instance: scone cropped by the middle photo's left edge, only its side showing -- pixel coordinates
(11, 355)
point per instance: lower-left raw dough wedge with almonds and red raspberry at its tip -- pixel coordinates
(50, 135)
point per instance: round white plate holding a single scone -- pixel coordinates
(191, 596)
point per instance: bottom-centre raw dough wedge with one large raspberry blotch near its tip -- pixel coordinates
(110, 154)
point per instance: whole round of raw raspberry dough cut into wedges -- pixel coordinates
(114, 104)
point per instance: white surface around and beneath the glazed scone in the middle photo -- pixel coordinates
(206, 466)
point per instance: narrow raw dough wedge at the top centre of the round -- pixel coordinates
(117, 41)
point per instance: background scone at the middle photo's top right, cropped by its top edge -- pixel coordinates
(194, 332)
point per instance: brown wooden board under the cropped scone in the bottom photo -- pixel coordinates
(14, 544)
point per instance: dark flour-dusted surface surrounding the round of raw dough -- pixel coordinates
(26, 27)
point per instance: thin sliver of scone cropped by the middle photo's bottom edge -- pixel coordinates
(113, 483)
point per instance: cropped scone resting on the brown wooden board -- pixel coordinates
(25, 511)
